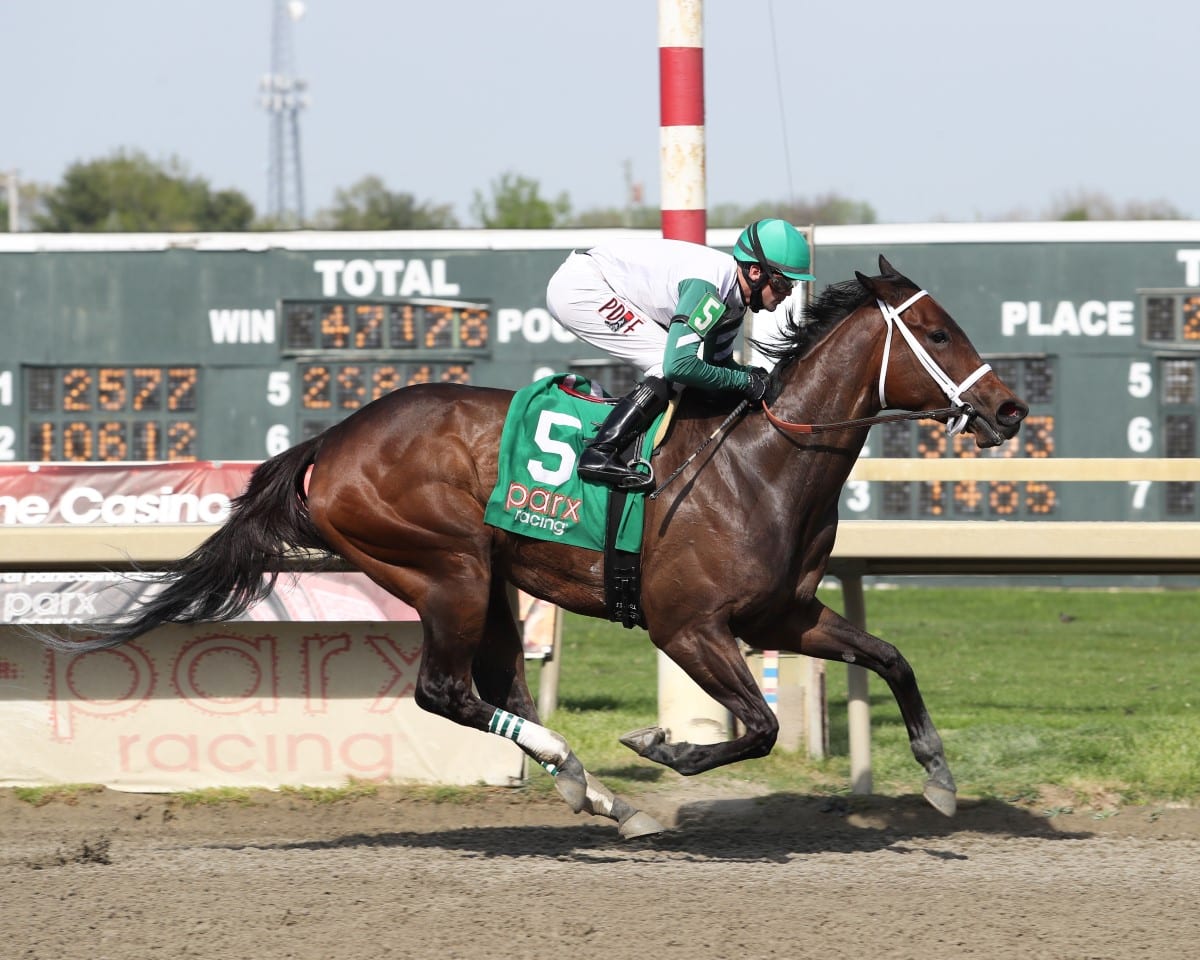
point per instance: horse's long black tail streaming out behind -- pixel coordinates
(235, 568)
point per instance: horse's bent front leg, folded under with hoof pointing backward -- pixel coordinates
(710, 655)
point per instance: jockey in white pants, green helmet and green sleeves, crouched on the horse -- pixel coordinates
(673, 309)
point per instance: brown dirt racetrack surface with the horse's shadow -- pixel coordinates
(125, 877)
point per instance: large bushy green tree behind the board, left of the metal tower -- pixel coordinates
(129, 193)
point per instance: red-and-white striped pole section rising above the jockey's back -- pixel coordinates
(682, 111)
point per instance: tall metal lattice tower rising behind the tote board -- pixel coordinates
(284, 95)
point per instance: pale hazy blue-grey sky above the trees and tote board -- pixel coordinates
(931, 110)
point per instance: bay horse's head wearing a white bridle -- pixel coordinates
(929, 363)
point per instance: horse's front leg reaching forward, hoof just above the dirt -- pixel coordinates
(818, 632)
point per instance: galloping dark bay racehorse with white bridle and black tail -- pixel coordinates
(736, 547)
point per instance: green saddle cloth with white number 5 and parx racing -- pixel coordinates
(538, 493)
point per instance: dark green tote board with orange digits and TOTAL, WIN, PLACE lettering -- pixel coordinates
(236, 347)
